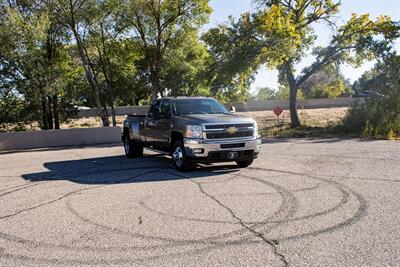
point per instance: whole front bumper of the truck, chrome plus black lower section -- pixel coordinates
(202, 149)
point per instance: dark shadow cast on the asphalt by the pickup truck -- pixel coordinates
(119, 169)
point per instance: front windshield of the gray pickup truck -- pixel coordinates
(198, 106)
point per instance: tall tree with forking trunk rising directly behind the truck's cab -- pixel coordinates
(157, 24)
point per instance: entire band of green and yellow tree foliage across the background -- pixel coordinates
(125, 52)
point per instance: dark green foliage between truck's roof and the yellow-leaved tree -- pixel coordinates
(234, 57)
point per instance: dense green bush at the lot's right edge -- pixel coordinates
(379, 116)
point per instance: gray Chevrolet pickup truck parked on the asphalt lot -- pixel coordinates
(192, 130)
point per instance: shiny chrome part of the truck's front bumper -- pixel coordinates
(192, 146)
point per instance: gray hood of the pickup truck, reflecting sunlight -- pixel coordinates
(215, 118)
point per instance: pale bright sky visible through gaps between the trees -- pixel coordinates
(224, 8)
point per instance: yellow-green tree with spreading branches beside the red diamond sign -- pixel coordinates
(282, 33)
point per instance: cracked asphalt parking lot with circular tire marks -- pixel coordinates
(304, 202)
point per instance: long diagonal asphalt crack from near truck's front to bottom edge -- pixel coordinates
(254, 232)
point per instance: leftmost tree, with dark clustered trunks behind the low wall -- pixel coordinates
(30, 56)
